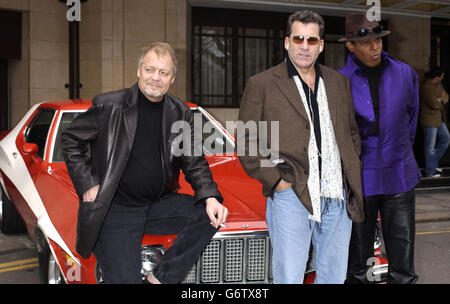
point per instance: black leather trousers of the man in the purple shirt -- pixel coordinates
(397, 214)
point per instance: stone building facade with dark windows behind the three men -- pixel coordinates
(219, 44)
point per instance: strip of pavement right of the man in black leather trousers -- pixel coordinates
(432, 205)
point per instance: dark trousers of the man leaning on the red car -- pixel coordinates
(118, 248)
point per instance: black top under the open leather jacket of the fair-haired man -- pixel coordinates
(142, 179)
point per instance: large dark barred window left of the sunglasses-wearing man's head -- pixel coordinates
(229, 46)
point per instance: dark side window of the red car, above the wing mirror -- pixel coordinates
(37, 130)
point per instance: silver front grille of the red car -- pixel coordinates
(236, 258)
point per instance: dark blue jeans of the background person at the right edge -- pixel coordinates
(433, 152)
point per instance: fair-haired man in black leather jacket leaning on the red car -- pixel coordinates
(127, 186)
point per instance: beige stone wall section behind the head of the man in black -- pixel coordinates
(112, 32)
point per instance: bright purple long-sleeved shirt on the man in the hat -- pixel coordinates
(388, 163)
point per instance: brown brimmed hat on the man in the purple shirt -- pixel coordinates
(357, 27)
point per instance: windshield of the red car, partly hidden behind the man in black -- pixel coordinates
(214, 140)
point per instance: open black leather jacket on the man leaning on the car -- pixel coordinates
(108, 128)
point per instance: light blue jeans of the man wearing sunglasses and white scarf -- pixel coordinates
(291, 233)
